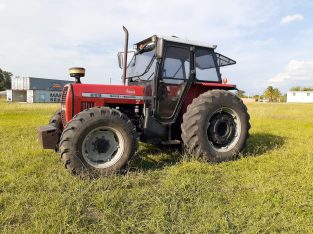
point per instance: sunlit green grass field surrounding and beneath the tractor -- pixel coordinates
(268, 189)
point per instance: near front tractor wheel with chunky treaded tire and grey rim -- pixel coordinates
(98, 141)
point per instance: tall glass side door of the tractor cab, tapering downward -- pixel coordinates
(172, 80)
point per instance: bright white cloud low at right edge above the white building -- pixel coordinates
(295, 71)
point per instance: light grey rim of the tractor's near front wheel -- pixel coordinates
(103, 147)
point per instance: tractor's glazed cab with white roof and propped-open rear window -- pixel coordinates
(169, 67)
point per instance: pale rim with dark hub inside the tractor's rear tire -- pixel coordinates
(223, 130)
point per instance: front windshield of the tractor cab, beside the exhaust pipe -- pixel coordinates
(141, 65)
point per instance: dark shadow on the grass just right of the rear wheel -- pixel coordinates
(260, 143)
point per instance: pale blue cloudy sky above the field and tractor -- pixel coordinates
(271, 40)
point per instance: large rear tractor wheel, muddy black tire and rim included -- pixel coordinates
(215, 126)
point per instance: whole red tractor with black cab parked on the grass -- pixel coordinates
(174, 95)
